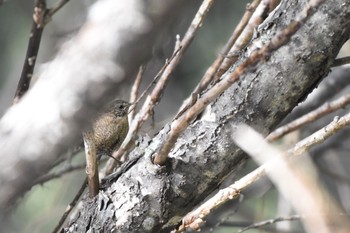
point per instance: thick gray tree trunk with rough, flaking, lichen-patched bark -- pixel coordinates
(149, 198)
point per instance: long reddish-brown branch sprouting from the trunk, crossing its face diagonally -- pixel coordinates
(276, 42)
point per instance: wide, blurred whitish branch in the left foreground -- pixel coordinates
(89, 70)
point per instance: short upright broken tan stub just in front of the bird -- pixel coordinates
(91, 163)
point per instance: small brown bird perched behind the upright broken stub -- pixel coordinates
(111, 128)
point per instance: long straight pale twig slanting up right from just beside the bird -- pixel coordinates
(154, 97)
